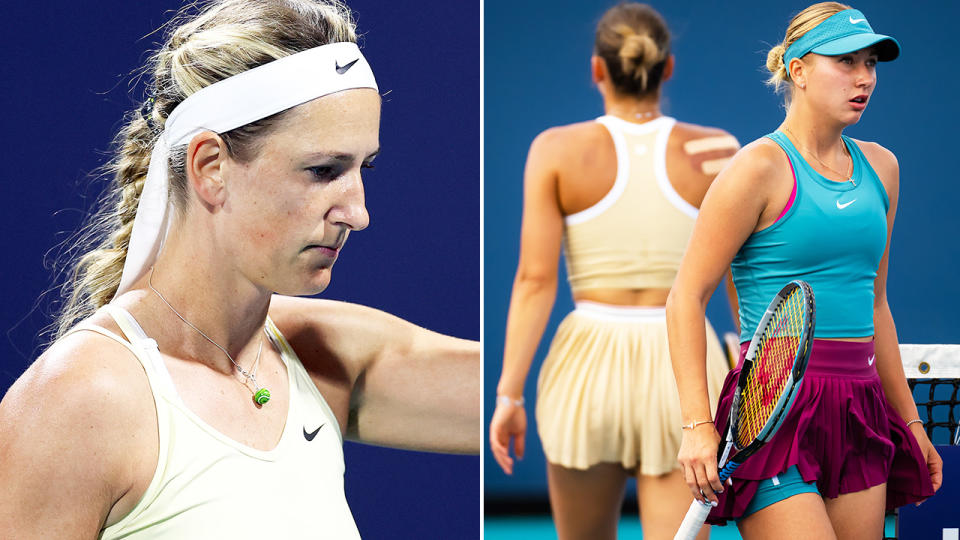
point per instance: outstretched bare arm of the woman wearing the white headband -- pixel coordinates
(389, 382)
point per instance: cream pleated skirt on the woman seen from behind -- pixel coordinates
(606, 391)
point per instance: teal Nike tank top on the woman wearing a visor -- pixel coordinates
(832, 236)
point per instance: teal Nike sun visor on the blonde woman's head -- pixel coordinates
(842, 33)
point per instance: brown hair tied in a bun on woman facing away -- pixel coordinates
(634, 42)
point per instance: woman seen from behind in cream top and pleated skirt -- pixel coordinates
(620, 193)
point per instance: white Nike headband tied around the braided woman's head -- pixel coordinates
(228, 104)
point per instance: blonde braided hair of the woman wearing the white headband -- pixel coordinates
(204, 43)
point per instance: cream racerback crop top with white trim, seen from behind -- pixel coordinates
(635, 236)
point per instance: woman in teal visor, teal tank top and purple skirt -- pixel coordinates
(807, 202)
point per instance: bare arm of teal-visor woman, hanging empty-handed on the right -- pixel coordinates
(889, 364)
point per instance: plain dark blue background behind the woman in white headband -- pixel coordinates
(64, 87)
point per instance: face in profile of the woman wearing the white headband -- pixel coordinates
(297, 201)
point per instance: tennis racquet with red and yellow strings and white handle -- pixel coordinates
(769, 381)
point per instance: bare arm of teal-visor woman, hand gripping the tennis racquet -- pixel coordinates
(735, 206)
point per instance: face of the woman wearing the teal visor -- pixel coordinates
(840, 86)
